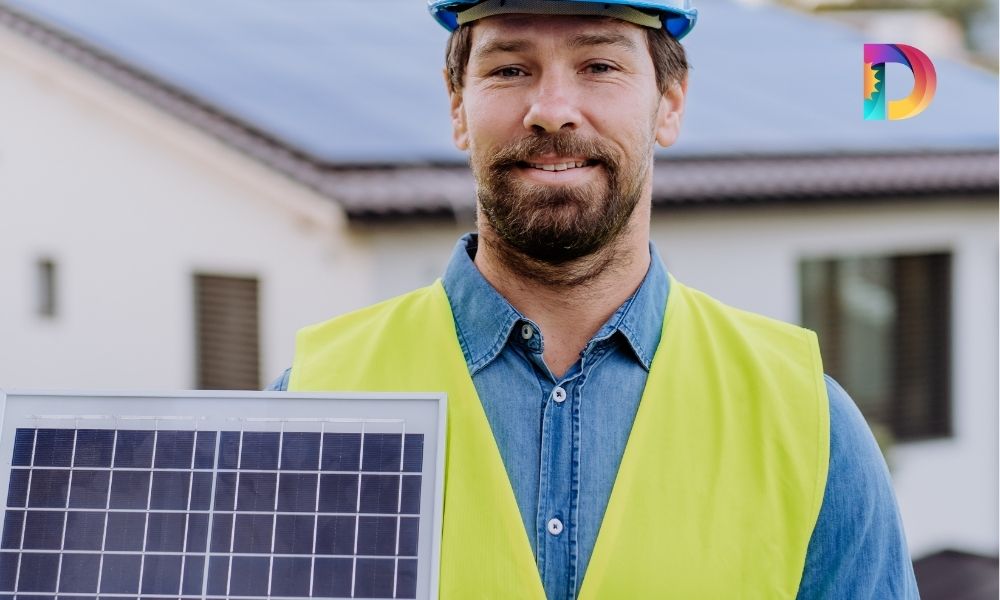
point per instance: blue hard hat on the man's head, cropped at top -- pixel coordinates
(677, 16)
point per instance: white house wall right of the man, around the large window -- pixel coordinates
(947, 489)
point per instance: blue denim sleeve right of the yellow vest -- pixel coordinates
(858, 548)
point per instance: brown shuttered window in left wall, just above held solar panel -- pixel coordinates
(228, 335)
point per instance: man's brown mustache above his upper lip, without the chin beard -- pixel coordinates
(563, 143)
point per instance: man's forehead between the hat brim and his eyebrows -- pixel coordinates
(519, 32)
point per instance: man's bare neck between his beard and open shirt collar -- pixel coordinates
(570, 302)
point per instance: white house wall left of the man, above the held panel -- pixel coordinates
(130, 203)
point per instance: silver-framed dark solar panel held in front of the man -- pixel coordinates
(221, 495)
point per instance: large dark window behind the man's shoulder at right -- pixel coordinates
(884, 326)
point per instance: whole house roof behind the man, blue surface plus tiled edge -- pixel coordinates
(351, 103)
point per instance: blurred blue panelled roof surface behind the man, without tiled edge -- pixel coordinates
(347, 83)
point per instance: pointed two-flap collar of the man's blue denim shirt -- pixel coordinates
(484, 319)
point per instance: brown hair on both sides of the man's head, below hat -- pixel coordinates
(669, 58)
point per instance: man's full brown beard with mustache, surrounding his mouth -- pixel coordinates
(556, 225)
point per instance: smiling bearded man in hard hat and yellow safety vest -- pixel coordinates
(612, 433)
